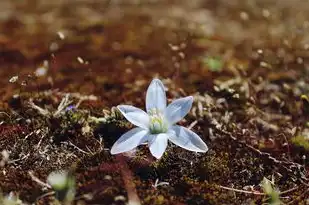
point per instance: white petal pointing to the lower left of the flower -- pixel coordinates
(129, 140)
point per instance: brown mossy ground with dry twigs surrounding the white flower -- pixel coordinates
(245, 62)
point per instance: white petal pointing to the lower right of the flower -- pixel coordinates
(186, 139)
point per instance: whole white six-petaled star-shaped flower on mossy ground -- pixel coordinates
(157, 126)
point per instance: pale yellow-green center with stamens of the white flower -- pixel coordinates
(158, 122)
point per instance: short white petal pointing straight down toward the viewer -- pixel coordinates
(158, 144)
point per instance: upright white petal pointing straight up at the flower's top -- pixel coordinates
(155, 96)
